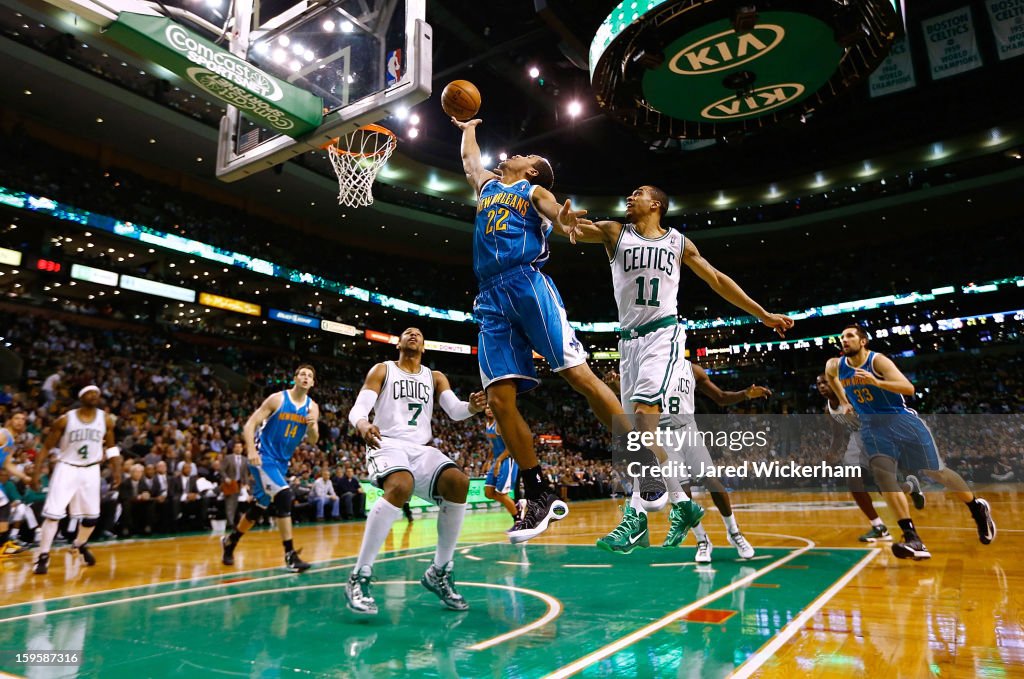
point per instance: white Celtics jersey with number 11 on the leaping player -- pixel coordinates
(646, 276)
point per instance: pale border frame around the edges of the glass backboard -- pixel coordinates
(414, 87)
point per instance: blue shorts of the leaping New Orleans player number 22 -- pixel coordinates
(521, 312)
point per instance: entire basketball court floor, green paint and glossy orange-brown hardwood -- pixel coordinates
(814, 603)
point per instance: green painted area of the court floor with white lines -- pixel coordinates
(537, 611)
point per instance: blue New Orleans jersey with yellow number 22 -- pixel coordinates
(509, 233)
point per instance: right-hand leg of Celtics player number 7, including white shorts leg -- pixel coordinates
(450, 489)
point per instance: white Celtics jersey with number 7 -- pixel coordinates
(406, 405)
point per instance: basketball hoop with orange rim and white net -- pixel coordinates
(357, 159)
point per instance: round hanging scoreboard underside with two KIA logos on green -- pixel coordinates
(688, 70)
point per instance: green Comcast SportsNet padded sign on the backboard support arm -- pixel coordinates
(260, 96)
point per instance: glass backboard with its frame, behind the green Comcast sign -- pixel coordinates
(365, 59)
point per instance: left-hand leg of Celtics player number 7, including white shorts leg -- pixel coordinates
(391, 471)
